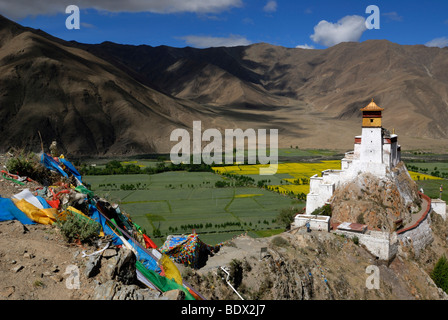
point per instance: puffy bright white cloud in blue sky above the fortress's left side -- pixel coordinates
(349, 28)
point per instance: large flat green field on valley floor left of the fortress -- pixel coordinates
(177, 202)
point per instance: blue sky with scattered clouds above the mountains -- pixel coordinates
(204, 23)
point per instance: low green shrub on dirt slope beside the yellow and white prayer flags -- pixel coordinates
(74, 228)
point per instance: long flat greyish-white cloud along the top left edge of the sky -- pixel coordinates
(18, 9)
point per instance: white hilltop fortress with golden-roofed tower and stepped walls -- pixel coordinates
(376, 151)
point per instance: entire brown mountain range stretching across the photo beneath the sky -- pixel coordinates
(109, 99)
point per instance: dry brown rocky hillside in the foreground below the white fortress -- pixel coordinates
(315, 266)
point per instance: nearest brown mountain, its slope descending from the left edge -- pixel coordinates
(87, 104)
